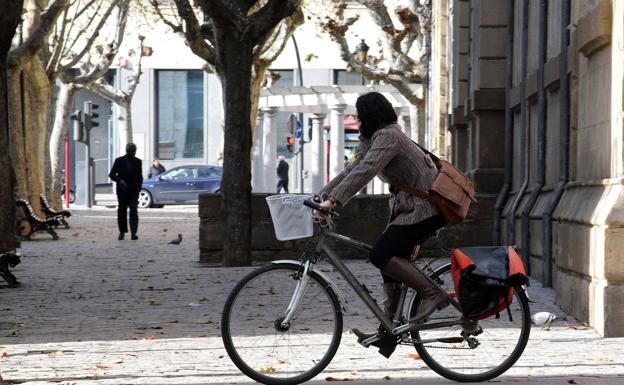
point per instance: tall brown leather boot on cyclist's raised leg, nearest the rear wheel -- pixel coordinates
(432, 297)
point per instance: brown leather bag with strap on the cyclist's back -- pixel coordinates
(451, 191)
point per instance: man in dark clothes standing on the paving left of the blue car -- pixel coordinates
(127, 173)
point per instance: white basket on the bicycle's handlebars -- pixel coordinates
(291, 219)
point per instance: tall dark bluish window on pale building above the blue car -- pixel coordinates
(180, 114)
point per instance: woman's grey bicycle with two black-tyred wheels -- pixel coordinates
(282, 323)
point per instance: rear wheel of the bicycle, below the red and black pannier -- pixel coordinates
(498, 346)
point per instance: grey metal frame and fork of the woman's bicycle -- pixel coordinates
(322, 248)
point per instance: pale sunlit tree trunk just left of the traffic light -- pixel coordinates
(58, 137)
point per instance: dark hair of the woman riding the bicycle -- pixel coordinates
(374, 112)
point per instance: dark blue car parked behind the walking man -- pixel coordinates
(180, 185)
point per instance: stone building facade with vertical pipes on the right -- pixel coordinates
(533, 93)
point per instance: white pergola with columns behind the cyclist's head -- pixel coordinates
(320, 101)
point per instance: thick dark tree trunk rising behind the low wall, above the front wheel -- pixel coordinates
(235, 73)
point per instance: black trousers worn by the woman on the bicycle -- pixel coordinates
(399, 241)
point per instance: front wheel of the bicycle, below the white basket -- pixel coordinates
(257, 342)
